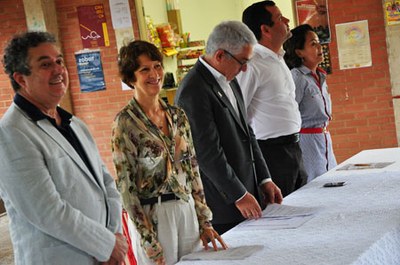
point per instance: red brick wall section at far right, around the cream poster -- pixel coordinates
(362, 100)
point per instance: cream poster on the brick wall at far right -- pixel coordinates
(354, 46)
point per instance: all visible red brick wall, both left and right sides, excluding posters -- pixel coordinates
(362, 102)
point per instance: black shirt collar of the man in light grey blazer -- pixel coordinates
(35, 114)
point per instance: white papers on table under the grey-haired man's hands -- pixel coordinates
(278, 216)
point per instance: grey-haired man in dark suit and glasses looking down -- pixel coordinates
(231, 164)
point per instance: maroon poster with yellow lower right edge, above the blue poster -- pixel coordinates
(93, 26)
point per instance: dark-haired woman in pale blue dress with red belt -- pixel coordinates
(303, 54)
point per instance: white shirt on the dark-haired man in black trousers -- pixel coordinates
(269, 95)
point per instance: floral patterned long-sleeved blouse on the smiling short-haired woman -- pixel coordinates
(149, 163)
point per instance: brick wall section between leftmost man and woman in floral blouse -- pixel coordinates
(97, 109)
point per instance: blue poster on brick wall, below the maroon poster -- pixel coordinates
(90, 70)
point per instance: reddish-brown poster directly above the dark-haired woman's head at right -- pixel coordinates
(314, 13)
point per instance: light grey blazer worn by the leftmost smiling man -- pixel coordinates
(59, 213)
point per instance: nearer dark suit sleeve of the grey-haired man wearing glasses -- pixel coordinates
(210, 155)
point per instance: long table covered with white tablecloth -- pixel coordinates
(358, 223)
